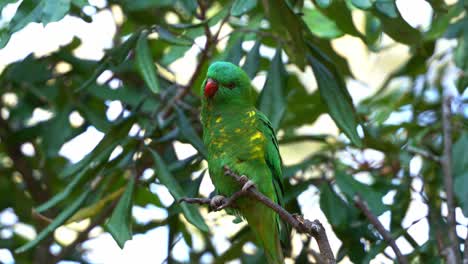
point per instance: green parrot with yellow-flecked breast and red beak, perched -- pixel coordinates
(241, 137)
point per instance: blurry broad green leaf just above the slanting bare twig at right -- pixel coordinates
(351, 188)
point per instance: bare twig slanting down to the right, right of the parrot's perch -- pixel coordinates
(380, 228)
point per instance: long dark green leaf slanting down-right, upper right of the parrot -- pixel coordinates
(335, 95)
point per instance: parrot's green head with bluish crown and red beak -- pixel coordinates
(226, 83)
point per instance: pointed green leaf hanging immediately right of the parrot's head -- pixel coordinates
(272, 101)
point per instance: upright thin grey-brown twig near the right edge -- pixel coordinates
(448, 179)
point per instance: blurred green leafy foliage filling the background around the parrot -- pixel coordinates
(389, 150)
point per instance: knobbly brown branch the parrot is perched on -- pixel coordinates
(312, 228)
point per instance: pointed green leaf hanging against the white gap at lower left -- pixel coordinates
(120, 222)
